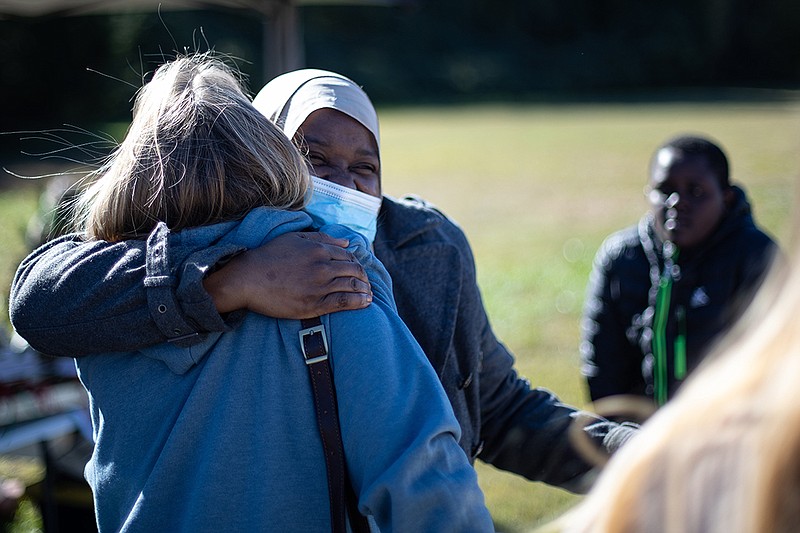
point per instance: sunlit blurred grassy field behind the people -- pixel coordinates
(537, 188)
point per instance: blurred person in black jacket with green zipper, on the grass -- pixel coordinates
(660, 292)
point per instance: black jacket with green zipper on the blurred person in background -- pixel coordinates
(712, 286)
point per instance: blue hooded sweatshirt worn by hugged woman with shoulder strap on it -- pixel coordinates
(222, 435)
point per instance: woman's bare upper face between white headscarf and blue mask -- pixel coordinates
(340, 149)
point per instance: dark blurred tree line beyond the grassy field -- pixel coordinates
(85, 70)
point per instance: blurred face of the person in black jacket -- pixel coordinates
(687, 198)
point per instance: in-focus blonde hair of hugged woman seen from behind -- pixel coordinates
(197, 152)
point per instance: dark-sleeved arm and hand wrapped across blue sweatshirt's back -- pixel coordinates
(75, 298)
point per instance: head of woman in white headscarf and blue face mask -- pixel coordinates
(328, 115)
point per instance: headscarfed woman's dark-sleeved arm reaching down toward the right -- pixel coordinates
(525, 429)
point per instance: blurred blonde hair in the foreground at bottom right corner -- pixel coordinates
(724, 454)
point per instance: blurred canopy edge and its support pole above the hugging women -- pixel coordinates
(282, 41)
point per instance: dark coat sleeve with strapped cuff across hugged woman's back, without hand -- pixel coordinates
(74, 298)
